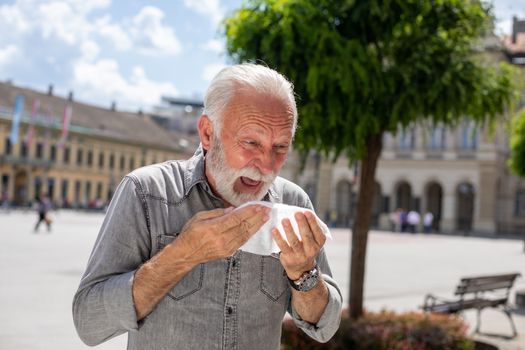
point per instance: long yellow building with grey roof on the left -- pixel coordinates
(102, 146)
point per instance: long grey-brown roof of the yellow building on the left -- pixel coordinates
(134, 128)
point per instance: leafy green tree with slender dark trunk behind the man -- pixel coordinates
(365, 67)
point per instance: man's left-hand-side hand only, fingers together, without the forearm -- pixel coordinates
(218, 233)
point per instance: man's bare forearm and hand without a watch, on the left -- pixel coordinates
(209, 235)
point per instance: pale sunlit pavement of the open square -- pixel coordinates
(40, 273)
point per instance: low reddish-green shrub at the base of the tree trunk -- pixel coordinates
(387, 331)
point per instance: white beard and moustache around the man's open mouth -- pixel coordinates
(225, 177)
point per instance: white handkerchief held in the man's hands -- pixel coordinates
(262, 242)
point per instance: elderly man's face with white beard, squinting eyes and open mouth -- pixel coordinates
(256, 134)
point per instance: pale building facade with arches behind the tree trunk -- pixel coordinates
(459, 175)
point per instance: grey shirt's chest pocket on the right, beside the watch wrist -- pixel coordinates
(273, 283)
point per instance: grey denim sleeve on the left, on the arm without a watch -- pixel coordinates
(103, 305)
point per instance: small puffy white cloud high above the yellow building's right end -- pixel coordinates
(151, 36)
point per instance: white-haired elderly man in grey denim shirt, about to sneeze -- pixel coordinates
(166, 266)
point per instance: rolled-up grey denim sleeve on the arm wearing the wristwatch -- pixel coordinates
(331, 317)
